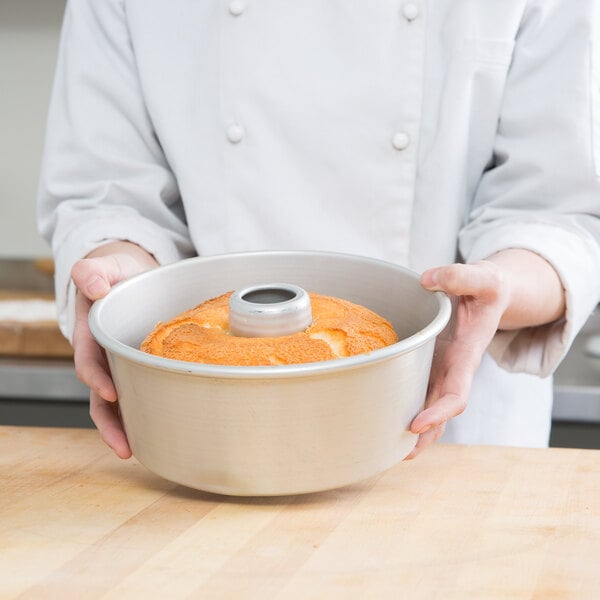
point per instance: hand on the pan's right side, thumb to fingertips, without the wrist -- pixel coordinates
(479, 297)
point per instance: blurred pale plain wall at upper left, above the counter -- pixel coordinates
(29, 33)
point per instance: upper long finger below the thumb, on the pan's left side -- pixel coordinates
(91, 366)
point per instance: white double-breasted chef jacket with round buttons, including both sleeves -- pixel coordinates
(417, 132)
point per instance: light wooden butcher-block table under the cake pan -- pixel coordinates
(458, 522)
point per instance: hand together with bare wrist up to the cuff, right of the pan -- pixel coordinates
(512, 289)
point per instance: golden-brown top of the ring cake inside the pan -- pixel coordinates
(201, 334)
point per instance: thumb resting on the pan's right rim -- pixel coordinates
(478, 279)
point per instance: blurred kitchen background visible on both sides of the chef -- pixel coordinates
(37, 379)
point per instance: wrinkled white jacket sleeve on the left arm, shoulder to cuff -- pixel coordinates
(104, 176)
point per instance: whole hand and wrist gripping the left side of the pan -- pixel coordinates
(93, 277)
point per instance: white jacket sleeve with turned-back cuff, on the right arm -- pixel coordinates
(542, 192)
